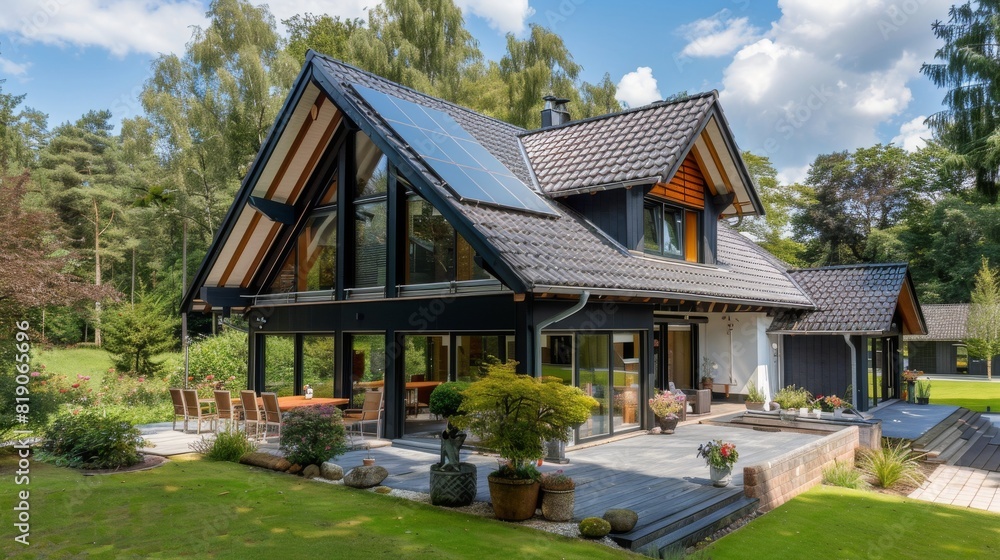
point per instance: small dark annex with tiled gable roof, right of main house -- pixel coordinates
(850, 344)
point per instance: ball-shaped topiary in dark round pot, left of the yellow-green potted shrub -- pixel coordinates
(453, 482)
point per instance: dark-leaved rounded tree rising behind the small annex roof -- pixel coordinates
(850, 195)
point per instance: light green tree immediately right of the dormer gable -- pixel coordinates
(770, 231)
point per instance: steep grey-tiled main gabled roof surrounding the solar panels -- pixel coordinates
(530, 252)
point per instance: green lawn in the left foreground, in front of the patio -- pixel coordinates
(197, 508)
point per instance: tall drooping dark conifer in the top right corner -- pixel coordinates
(969, 69)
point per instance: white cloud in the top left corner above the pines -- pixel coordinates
(120, 26)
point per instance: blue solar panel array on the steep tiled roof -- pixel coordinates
(469, 169)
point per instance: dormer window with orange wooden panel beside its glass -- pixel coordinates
(670, 231)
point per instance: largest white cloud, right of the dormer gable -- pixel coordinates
(827, 76)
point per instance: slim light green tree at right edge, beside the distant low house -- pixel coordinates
(983, 327)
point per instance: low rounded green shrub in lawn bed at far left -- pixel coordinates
(91, 439)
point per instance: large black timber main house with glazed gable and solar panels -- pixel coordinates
(383, 237)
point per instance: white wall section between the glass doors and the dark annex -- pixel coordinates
(748, 357)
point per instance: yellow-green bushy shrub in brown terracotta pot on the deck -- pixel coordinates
(514, 415)
